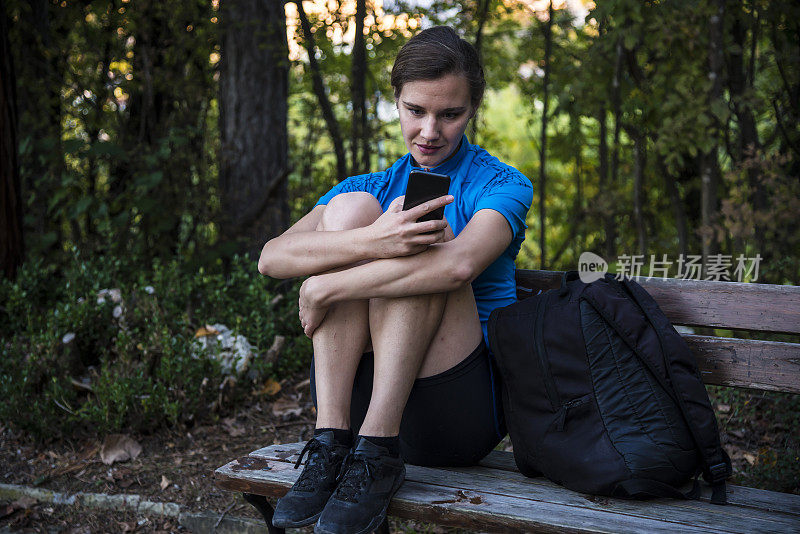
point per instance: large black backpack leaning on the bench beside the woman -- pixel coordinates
(602, 395)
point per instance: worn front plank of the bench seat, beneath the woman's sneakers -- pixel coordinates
(450, 498)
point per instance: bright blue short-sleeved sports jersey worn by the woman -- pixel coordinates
(478, 181)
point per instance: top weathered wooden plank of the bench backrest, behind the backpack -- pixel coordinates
(760, 307)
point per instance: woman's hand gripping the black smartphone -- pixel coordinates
(397, 232)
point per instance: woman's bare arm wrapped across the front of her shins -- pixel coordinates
(443, 267)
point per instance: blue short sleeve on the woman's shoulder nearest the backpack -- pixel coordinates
(510, 193)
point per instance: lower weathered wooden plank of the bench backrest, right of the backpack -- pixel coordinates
(768, 365)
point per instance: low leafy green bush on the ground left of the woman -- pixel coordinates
(76, 356)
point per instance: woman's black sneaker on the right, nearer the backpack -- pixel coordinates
(370, 477)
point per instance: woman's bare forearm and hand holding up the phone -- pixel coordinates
(302, 250)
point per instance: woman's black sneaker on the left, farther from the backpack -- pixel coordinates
(304, 502)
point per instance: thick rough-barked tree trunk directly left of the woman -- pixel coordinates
(254, 74)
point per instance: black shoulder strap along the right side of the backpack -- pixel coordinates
(690, 392)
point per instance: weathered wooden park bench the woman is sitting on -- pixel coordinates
(495, 497)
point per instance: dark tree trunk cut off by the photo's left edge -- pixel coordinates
(11, 240)
